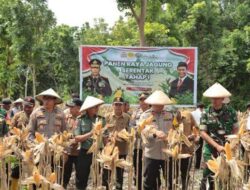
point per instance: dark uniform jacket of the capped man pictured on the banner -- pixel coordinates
(97, 85)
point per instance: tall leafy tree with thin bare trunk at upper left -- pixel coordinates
(32, 19)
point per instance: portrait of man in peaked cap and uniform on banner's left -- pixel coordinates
(95, 83)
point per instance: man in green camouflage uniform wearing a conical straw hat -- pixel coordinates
(218, 121)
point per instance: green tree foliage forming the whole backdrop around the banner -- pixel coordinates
(30, 41)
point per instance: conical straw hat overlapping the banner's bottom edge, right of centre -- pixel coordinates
(158, 98)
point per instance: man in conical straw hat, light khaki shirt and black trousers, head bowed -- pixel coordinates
(155, 159)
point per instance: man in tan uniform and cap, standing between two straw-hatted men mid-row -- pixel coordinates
(117, 121)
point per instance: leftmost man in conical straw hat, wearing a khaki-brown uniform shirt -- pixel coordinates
(47, 119)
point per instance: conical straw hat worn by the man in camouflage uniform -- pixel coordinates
(216, 91)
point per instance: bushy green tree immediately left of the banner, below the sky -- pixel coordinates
(61, 60)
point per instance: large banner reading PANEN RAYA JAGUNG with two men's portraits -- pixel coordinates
(128, 71)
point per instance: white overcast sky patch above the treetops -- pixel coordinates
(77, 12)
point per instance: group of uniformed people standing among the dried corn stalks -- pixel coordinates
(214, 123)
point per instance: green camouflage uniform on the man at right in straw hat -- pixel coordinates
(216, 124)
